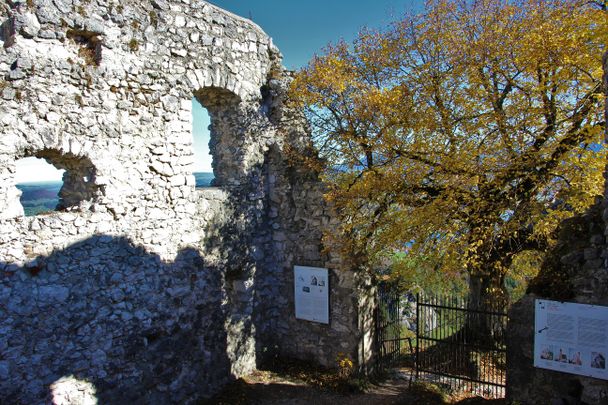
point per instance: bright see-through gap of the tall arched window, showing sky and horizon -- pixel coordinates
(203, 170)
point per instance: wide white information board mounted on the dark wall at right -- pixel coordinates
(571, 338)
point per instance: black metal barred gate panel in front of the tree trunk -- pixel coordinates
(461, 347)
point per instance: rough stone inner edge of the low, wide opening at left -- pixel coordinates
(79, 187)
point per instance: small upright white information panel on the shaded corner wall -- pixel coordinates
(311, 293)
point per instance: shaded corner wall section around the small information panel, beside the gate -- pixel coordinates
(298, 217)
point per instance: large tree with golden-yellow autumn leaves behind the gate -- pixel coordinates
(466, 133)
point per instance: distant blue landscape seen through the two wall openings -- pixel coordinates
(38, 197)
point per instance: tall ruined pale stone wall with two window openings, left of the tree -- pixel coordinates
(142, 288)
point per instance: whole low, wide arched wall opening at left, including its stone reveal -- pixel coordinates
(52, 181)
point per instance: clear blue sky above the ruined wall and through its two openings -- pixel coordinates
(299, 28)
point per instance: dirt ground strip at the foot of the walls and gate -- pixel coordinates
(294, 386)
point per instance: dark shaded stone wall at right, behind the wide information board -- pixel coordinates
(574, 272)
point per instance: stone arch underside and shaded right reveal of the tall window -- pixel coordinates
(223, 108)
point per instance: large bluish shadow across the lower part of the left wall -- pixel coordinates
(108, 317)
